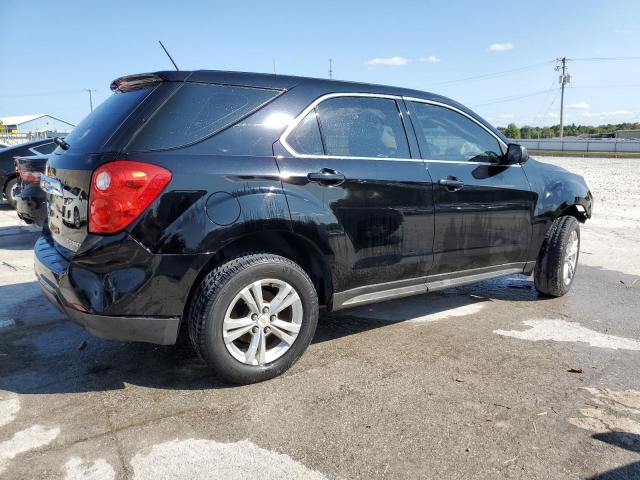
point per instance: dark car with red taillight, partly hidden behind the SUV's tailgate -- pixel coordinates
(31, 201)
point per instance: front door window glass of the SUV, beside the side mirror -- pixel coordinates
(448, 135)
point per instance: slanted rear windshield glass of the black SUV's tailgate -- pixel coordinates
(93, 132)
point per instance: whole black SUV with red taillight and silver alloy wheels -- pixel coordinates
(235, 205)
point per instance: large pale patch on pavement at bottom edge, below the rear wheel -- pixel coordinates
(194, 459)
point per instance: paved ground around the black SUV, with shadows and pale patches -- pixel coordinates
(483, 382)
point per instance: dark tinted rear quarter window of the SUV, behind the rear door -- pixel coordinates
(197, 111)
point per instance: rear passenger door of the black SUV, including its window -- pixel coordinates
(353, 175)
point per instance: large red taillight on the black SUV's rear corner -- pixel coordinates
(121, 191)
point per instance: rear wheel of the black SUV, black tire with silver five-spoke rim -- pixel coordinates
(226, 295)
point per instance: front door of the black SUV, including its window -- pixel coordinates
(483, 210)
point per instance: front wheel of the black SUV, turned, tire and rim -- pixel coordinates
(553, 275)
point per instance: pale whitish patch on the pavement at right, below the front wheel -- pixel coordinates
(563, 331)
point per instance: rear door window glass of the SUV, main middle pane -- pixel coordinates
(362, 127)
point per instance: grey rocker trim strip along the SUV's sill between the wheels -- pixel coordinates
(414, 286)
